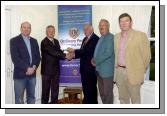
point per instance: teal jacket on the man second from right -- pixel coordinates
(105, 57)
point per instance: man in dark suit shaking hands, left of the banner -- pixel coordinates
(50, 69)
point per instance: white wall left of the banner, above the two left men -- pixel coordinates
(38, 16)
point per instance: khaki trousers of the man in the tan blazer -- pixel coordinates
(126, 90)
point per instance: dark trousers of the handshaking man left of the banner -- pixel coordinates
(50, 83)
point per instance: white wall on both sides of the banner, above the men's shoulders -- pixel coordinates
(41, 16)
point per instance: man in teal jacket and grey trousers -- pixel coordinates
(104, 61)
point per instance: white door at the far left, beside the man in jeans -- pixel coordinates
(9, 92)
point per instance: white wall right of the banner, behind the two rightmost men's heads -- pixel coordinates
(140, 16)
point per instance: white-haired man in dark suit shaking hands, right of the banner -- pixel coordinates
(87, 70)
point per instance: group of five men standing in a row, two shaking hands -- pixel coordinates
(127, 54)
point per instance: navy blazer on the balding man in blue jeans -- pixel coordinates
(20, 56)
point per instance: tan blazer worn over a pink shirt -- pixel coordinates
(137, 55)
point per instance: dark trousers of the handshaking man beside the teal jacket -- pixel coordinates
(89, 82)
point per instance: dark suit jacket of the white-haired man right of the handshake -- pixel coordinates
(85, 53)
